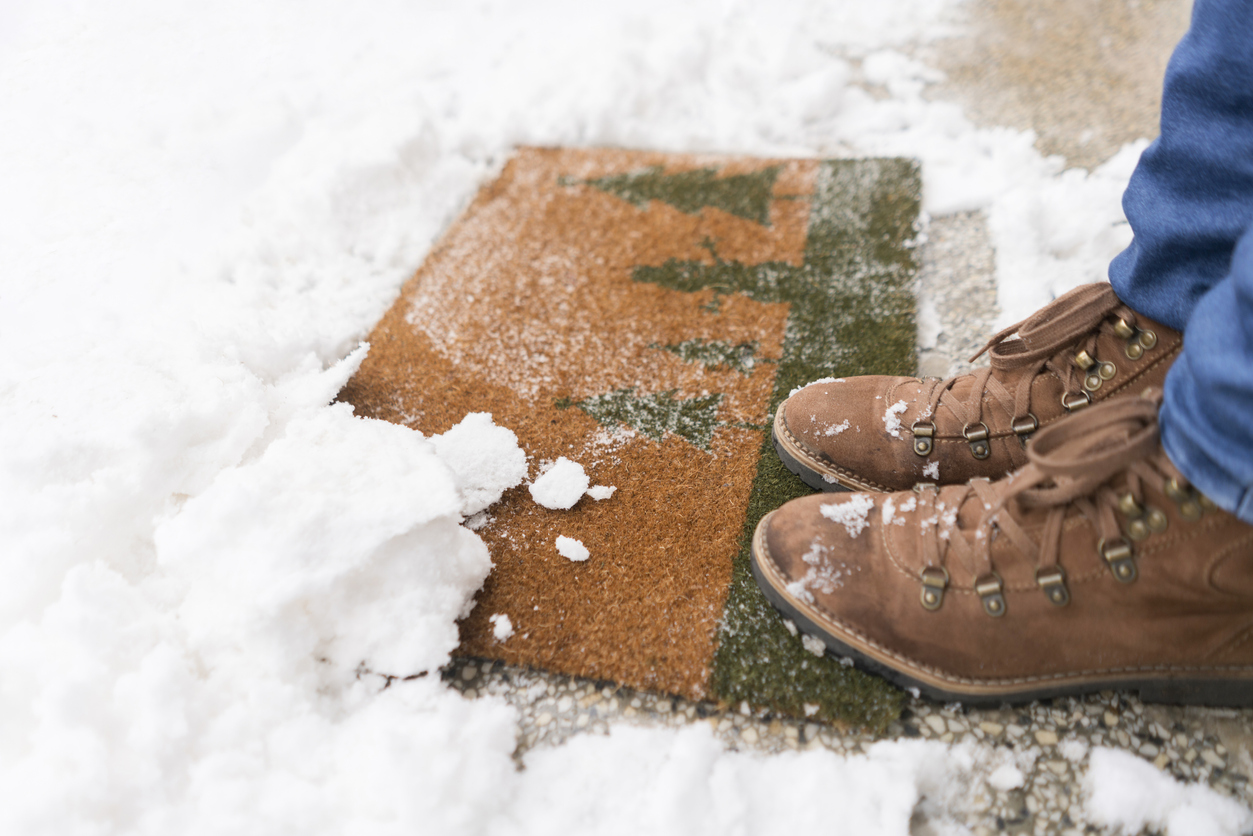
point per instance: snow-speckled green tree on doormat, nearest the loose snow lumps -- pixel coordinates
(655, 414)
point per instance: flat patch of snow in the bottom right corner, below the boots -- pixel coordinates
(1131, 795)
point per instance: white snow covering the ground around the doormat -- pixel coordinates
(206, 571)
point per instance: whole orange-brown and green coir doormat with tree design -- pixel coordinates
(643, 315)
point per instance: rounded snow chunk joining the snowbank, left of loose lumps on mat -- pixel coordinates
(484, 458)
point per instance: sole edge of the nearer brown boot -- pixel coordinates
(1226, 692)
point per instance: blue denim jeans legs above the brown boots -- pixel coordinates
(1191, 264)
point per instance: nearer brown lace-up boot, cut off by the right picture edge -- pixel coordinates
(1094, 567)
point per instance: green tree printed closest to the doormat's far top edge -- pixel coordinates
(747, 196)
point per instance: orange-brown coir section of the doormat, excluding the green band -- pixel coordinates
(585, 301)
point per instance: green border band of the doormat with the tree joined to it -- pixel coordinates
(853, 313)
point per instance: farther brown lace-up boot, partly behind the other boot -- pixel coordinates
(879, 433)
